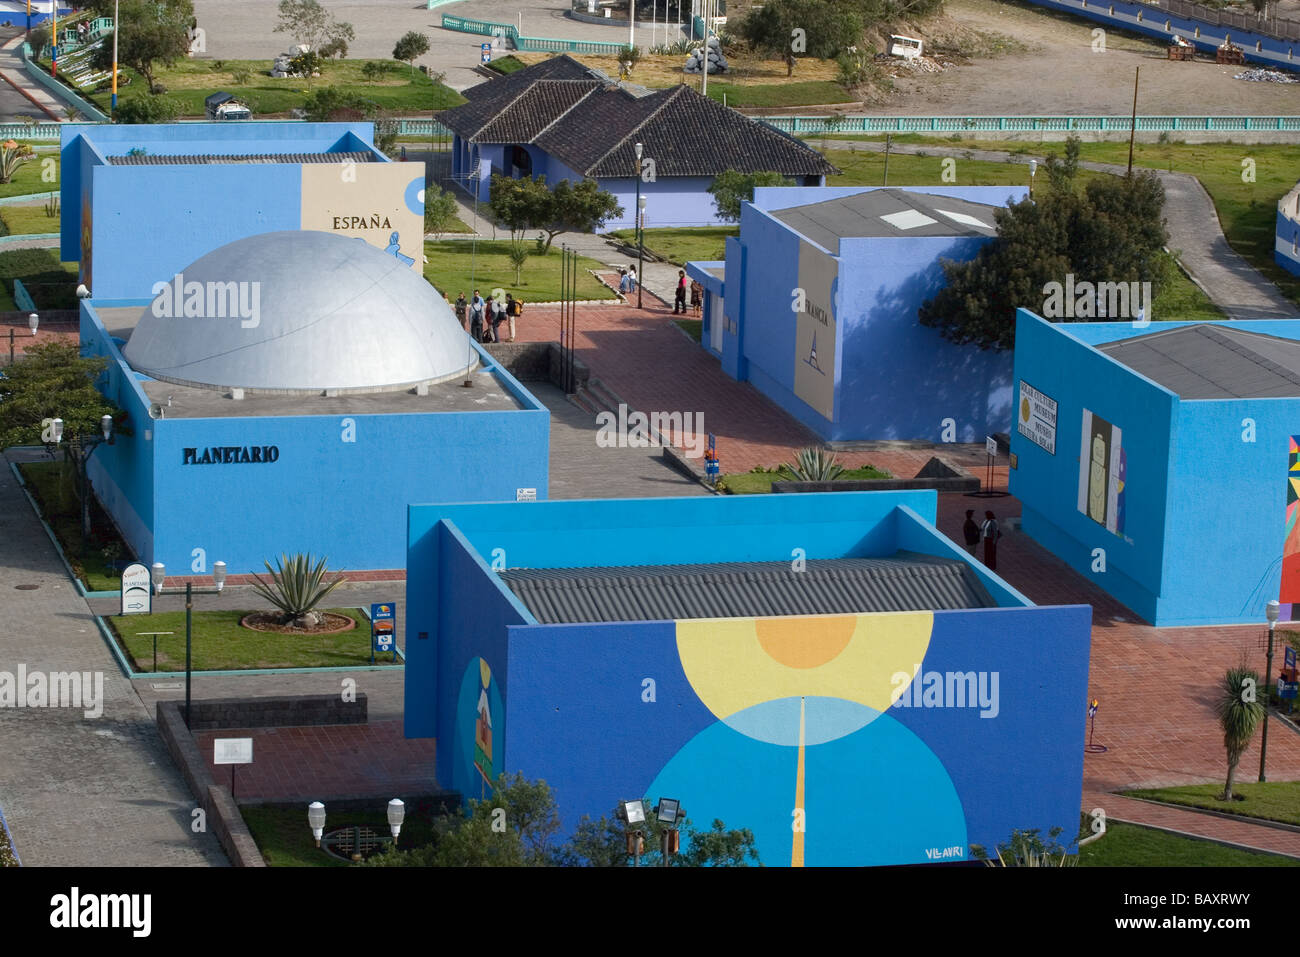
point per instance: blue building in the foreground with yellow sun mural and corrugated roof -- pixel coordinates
(882, 700)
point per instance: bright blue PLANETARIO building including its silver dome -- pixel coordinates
(294, 392)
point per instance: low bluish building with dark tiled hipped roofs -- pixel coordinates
(570, 123)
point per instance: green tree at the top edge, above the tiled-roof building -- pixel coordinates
(787, 29)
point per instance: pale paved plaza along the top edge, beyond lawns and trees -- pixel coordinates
(245, 29)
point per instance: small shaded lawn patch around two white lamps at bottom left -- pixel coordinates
(287, 842)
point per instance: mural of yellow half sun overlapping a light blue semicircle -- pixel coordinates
(807, 729)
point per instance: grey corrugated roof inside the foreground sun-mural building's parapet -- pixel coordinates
(905, 582)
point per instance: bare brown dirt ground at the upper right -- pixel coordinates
(1060, 73)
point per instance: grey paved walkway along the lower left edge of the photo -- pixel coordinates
(79, 791)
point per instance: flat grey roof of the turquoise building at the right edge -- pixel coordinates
(1214, 362)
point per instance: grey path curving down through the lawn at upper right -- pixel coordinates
(1195, 235)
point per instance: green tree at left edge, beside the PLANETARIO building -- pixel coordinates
(54, 382)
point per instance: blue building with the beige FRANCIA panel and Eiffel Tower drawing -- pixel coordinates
(817, 306)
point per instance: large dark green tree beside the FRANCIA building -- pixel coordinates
(1111, 232)
